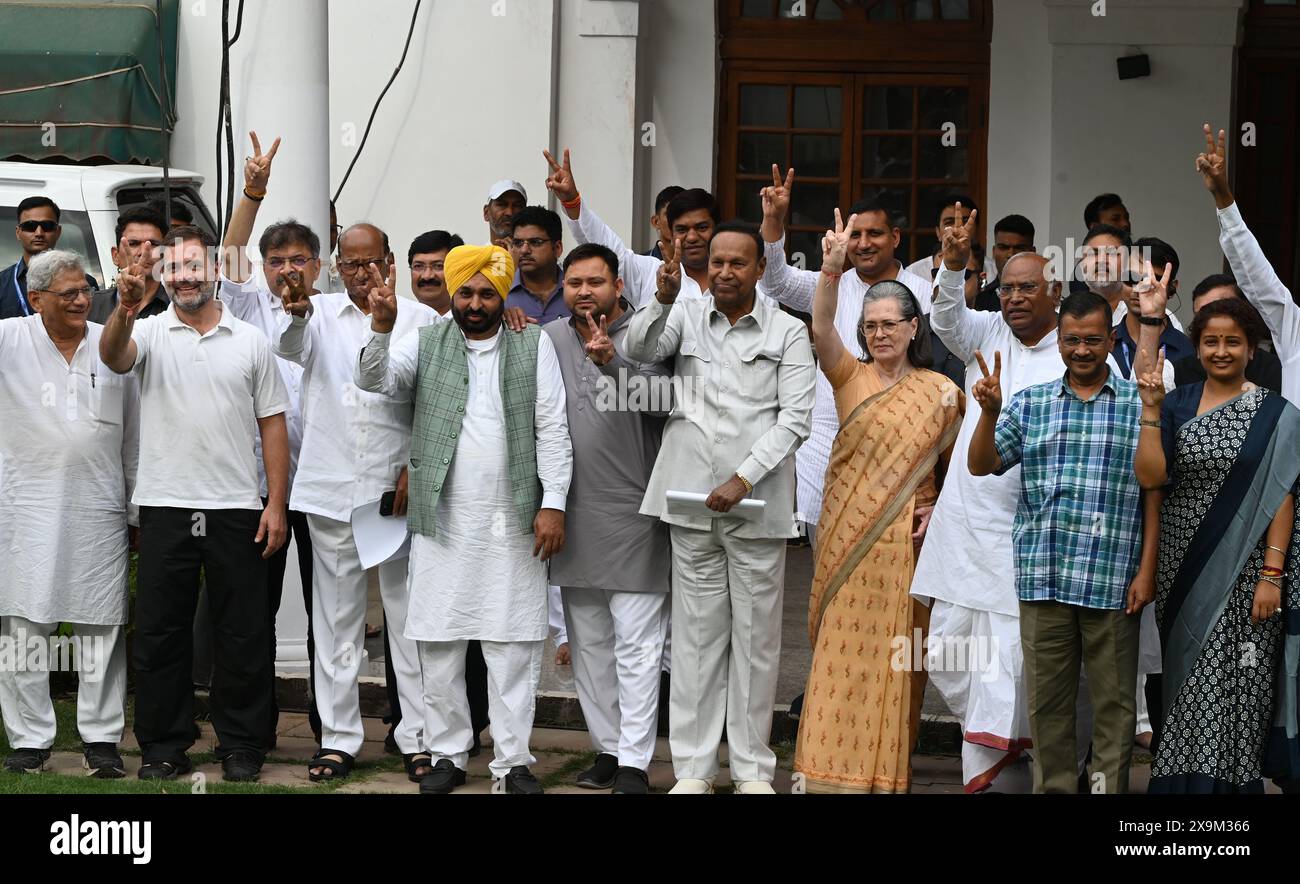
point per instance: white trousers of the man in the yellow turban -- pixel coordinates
(514, 670)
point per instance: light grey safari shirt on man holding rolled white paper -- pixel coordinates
(744, 405)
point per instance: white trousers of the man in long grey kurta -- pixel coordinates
(617, 644)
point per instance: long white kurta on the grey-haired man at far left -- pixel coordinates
(68, 457)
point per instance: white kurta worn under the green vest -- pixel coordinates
(478, 578)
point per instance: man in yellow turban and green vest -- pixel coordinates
(491, 470)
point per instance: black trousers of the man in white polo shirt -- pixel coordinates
(175, 545)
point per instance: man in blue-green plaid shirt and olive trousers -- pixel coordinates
(1082, 570)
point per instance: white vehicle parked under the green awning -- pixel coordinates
(90, 200)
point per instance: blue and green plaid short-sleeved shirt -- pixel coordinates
(1078, 527)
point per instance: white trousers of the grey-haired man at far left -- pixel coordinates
(99, 657)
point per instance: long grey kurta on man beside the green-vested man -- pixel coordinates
(616, 418)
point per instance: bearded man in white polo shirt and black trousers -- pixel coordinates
(209, 383)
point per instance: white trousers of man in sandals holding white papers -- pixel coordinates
(339, 623)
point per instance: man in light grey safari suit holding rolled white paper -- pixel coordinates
(746, 374)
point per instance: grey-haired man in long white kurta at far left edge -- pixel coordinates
(68, 456)
